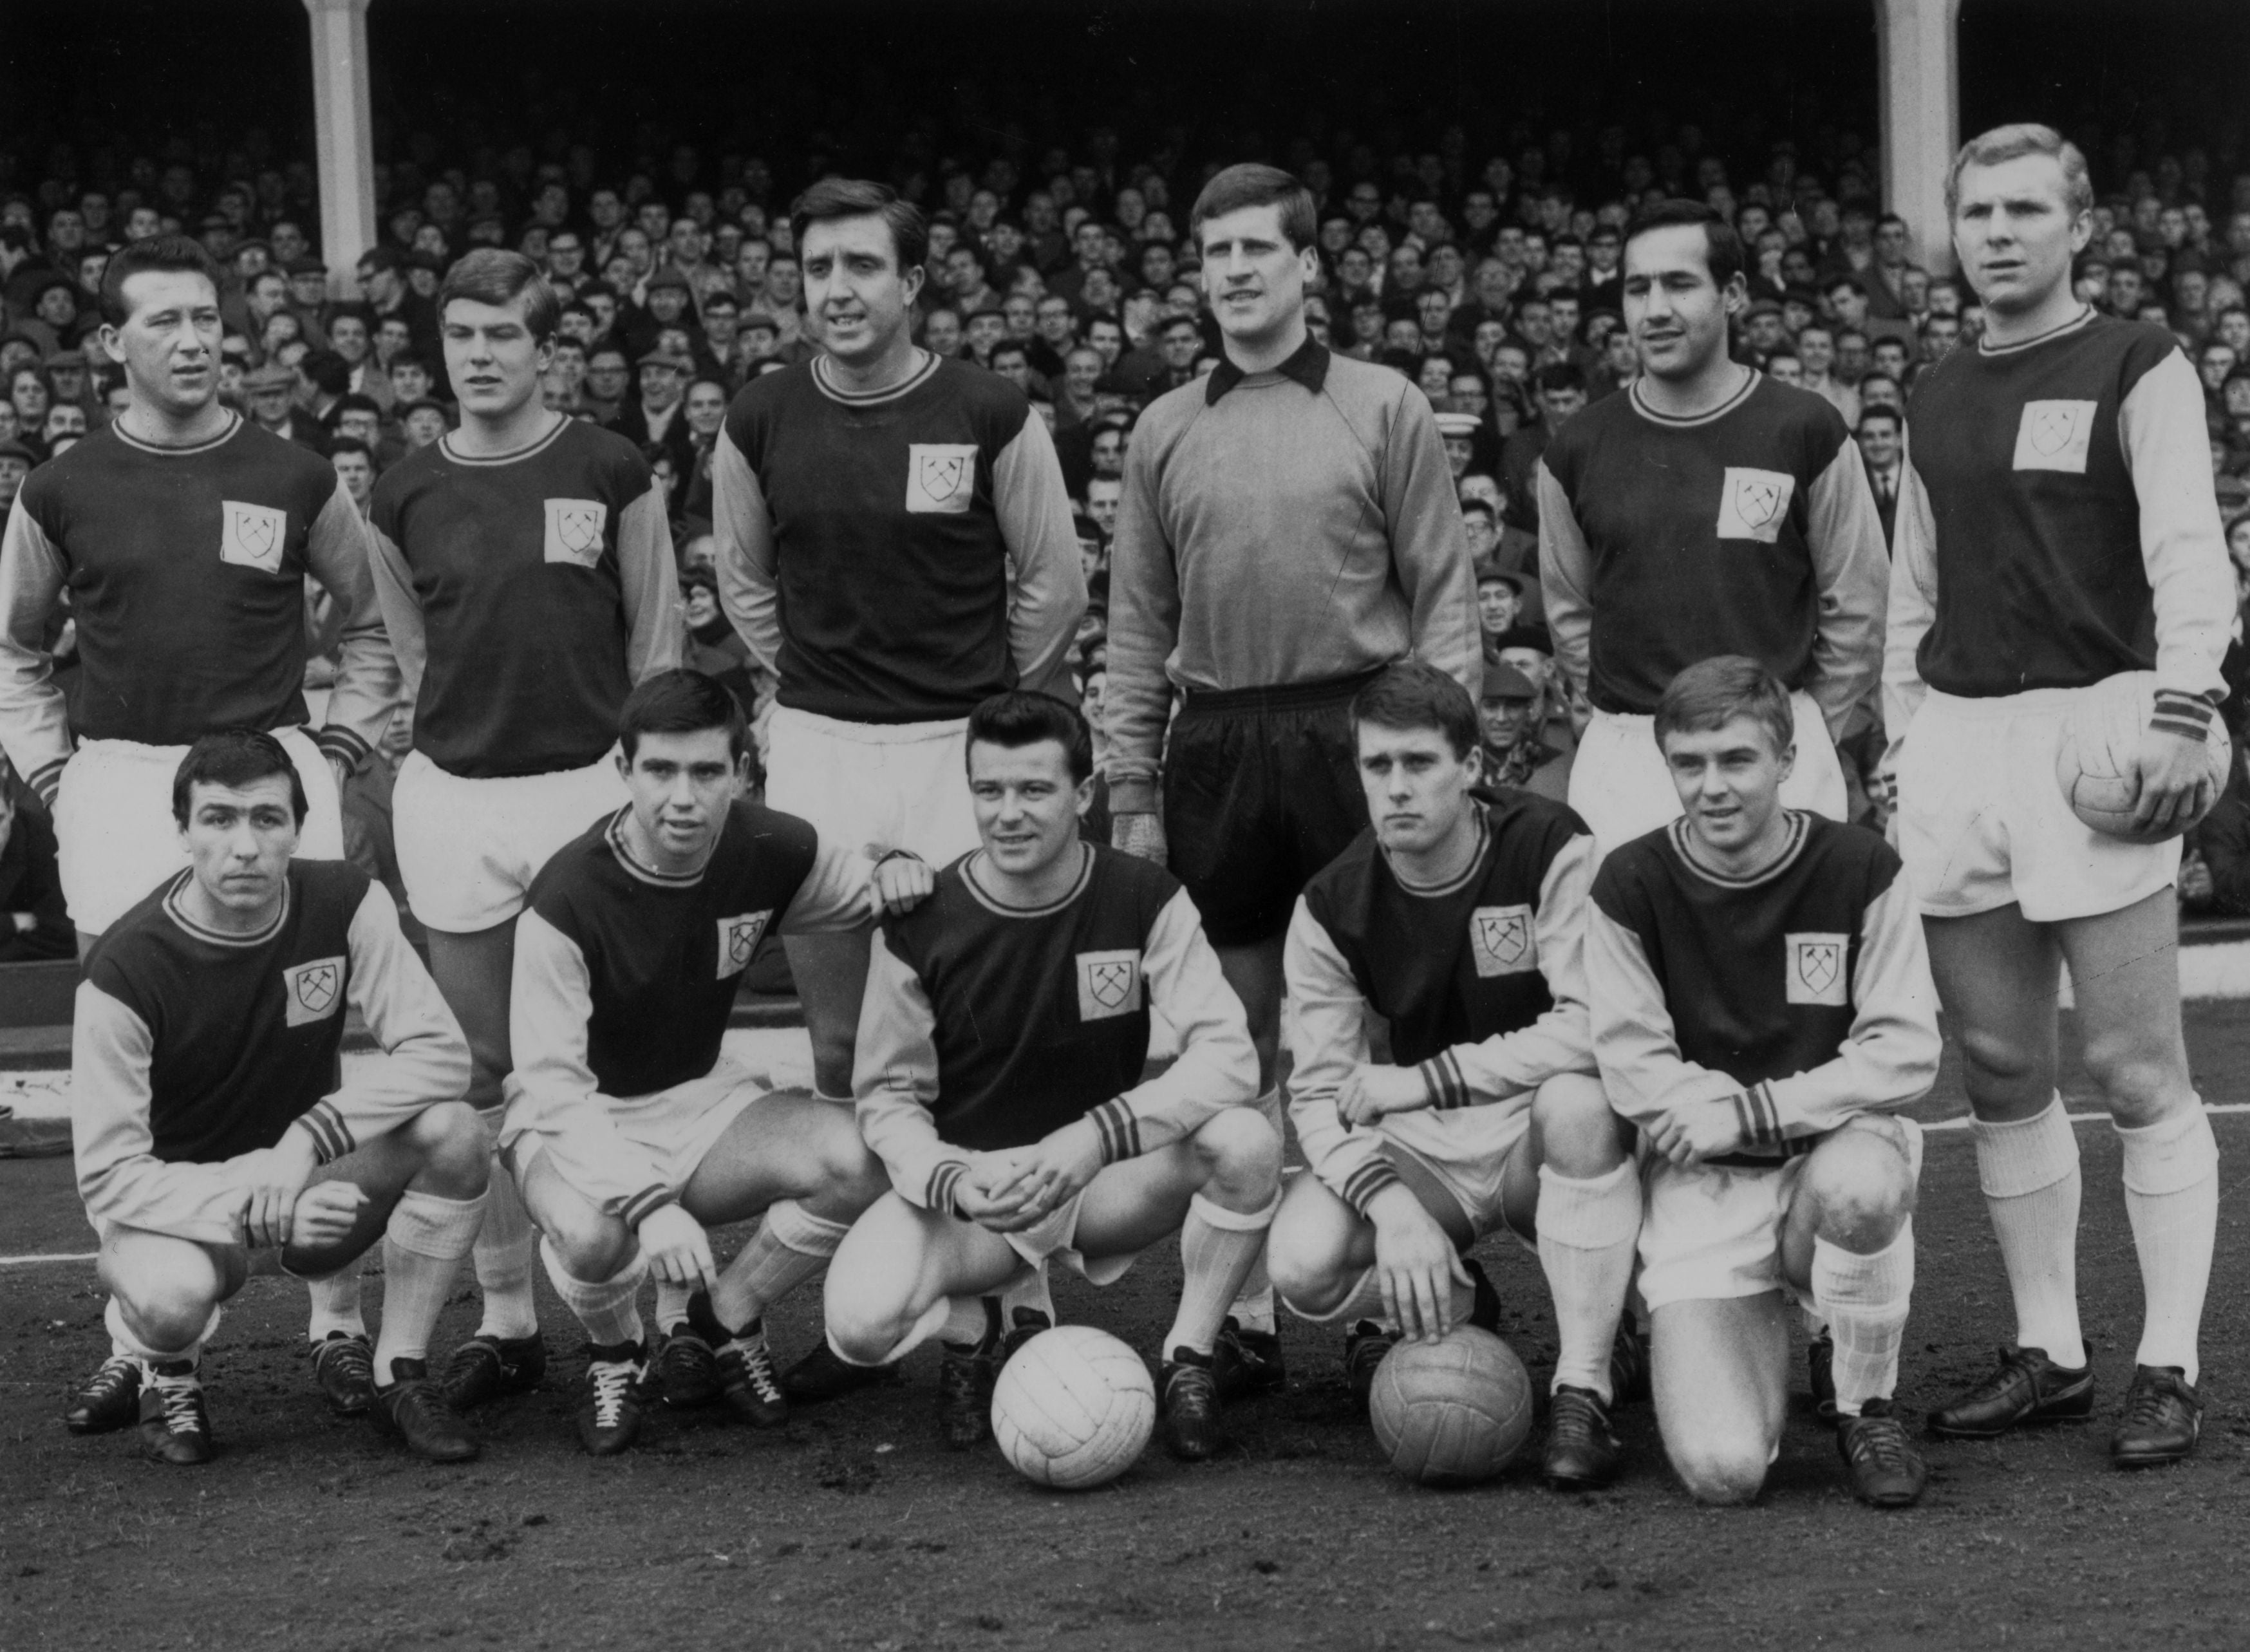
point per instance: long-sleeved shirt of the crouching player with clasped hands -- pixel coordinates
(991, 1027)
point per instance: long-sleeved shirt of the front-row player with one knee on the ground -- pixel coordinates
(1799, 996)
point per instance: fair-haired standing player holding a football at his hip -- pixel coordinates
(2060, 530)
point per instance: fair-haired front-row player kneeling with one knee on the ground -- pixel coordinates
(1761, 994)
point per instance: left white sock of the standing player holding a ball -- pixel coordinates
(2031, 1178)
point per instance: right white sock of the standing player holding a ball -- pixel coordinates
(2172, 1203)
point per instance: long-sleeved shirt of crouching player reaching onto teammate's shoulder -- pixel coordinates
(624, 978)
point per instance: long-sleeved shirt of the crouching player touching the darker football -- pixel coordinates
(1482, 985)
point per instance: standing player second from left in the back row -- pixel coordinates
(525, 571)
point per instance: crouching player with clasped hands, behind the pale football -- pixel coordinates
(1000, 1066)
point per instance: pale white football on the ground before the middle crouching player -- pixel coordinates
(1074, 1408)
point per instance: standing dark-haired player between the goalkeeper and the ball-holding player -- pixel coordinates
(1704, 512)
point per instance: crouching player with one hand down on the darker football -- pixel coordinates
(1459, 919)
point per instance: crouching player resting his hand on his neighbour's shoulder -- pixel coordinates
(627, 1124)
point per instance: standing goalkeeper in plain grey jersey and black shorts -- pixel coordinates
(1288, 532)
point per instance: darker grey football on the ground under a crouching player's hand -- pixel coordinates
(1452, 1412)
